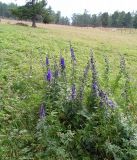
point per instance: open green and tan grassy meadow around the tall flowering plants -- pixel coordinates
(22, 85)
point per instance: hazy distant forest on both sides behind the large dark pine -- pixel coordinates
(117, 19)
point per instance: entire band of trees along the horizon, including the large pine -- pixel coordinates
(37, 11)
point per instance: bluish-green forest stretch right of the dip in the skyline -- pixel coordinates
(117, 19)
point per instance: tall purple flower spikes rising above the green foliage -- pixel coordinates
(97, 91)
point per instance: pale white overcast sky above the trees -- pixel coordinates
(68, 7)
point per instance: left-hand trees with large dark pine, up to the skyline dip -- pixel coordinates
(33, 10)
